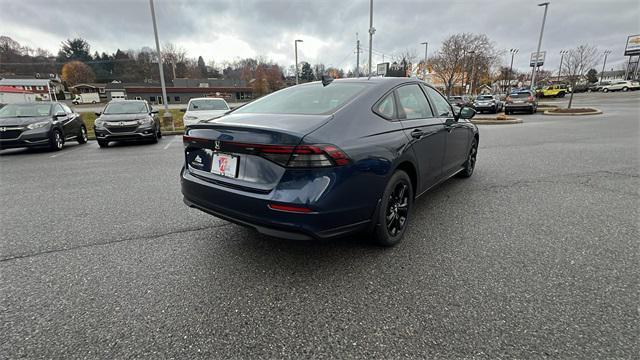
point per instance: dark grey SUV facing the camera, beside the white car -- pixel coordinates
(124, 120)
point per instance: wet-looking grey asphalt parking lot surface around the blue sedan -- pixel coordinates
(534, 256)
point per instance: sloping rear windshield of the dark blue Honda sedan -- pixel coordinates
(309, 99)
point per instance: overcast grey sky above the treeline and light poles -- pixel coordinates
(226, 30)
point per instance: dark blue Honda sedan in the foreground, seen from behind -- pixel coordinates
(327, 159)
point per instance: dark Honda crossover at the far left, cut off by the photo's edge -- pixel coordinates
(40, 124)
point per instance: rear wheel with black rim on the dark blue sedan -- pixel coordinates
(395, 210)
